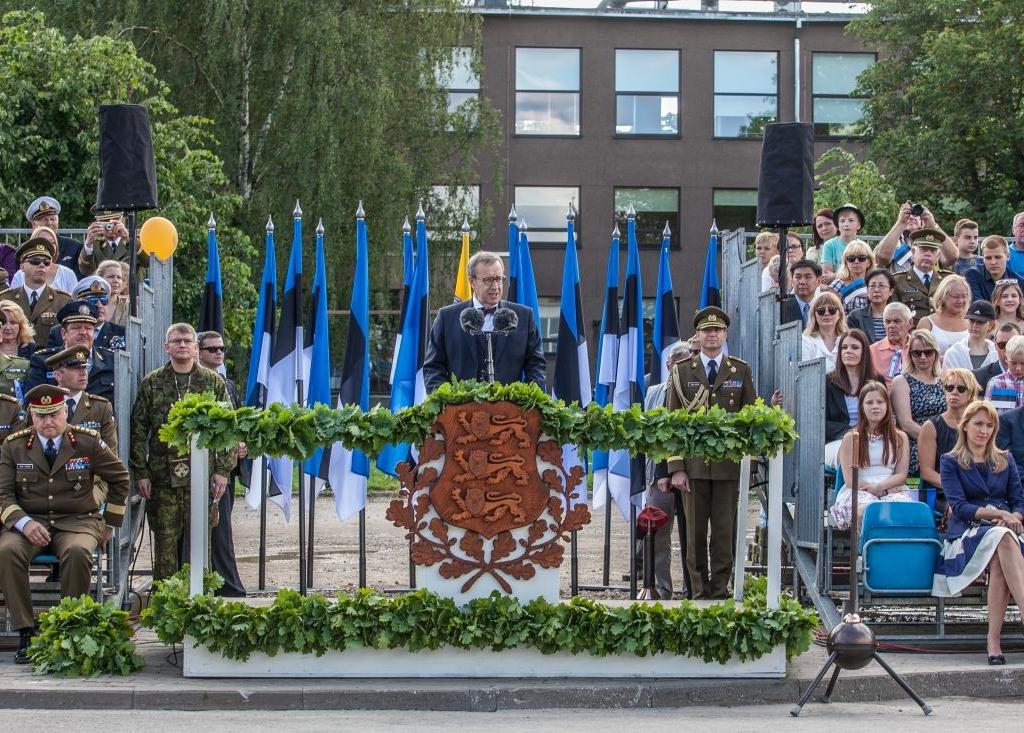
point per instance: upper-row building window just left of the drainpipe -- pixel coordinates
(746, 93)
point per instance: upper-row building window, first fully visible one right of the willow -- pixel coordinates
(547, 92)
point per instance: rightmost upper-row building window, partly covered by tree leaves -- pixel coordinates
(836, 112)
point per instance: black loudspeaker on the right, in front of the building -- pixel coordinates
(786, 186)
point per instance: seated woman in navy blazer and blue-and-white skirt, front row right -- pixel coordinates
(986, 530)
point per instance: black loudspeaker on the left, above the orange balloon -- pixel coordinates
(127, 168)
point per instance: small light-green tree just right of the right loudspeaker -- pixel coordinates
(844, 180)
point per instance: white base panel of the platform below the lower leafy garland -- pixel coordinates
(526, 663)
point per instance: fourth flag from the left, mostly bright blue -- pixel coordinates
(317, 355)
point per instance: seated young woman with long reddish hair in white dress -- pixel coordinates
(882, 456)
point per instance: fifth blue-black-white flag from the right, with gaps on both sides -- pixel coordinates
(572, 359)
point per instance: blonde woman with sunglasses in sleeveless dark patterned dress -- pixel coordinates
(918, 394)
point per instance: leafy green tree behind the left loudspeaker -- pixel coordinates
(50, 91)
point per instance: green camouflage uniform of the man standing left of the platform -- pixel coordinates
(168, 509)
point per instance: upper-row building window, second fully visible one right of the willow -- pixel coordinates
(647, 93)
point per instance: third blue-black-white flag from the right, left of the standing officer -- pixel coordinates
(626, 473)
